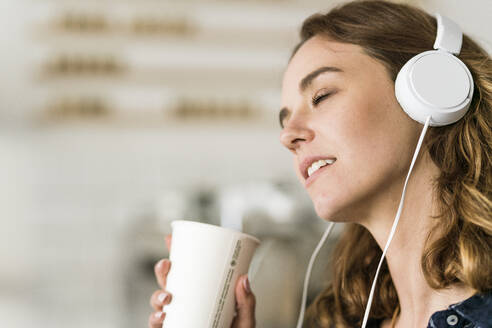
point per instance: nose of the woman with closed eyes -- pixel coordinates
(296, 132)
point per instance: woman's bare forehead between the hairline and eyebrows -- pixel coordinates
(318, 52)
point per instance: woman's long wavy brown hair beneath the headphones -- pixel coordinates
(460, 251)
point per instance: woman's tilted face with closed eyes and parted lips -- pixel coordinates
(338, 103)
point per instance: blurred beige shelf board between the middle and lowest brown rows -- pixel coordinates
(200, 81)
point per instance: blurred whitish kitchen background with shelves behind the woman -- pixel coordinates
(118, 116)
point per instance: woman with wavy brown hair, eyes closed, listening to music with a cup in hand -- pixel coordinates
(339, 103)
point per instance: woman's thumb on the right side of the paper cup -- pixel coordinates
(245, 304)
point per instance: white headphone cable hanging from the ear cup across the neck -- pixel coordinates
(395, 222)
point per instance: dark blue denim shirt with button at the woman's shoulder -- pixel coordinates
(474, 312)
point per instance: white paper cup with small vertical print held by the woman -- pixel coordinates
(206, 261)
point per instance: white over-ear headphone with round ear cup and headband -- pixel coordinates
(436, 83)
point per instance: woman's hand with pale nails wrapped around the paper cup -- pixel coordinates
(245, 299)
